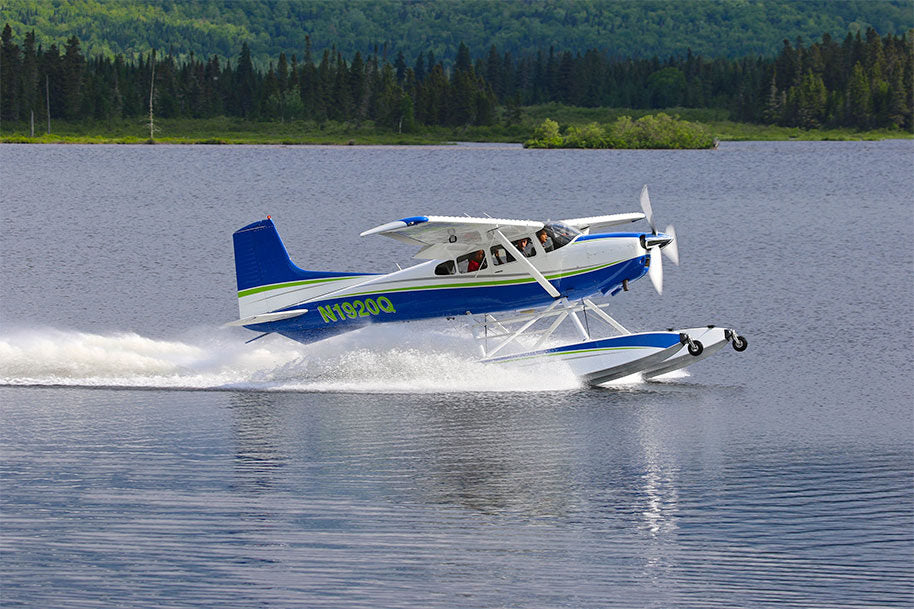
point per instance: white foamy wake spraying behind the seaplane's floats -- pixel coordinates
(377, 359)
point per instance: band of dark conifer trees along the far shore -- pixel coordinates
(865, 81)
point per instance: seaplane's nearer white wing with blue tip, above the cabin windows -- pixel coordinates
(450, 236)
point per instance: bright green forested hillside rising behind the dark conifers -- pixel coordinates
(622, 28)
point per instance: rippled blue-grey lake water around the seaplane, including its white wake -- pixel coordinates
(148, 457)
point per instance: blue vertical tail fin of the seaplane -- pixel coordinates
(261, 258)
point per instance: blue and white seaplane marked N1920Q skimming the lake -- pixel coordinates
(537, 276)
